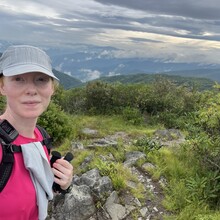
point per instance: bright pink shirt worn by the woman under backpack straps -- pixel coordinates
(18, 198)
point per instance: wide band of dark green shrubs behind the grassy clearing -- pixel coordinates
(162, 99)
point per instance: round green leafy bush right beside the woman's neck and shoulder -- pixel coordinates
(57, 123)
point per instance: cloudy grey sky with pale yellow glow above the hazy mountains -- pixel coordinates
(171, 30)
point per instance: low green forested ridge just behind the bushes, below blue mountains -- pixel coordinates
(201, 83)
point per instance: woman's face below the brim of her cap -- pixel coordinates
(28, 95)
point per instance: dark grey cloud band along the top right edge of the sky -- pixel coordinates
(202, 9)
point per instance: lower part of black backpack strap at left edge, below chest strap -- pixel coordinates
(6, 165)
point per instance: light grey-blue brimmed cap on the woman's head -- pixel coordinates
(21, 59)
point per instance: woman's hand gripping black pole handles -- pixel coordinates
(63, 173)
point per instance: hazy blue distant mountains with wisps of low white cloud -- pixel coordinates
(88, 62)
